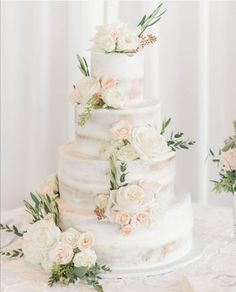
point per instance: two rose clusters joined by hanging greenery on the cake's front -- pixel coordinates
(134, 206)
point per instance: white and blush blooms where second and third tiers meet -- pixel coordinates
(129, 143)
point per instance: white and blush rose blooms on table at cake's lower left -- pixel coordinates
(45, 244)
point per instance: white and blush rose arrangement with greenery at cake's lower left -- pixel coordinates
(67, 256)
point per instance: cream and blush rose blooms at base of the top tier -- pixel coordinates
(105, 89)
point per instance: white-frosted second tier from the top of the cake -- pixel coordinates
(97, 131)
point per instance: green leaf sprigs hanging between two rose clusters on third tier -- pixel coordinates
(115, 181)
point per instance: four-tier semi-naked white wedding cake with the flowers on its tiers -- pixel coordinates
(116, 179)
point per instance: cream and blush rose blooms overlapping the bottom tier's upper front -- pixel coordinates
(133, 206)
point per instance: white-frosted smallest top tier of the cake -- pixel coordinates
(128, 70)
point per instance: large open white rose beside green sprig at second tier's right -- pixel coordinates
(147, 142)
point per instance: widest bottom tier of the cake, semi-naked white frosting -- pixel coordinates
(166, 242)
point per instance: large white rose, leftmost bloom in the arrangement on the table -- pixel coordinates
(43, 234)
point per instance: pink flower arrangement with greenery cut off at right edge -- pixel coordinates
(226, 163)
